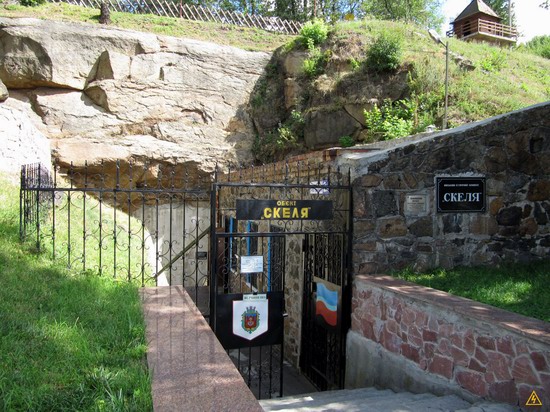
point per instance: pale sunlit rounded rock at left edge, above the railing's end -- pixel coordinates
(20, 142)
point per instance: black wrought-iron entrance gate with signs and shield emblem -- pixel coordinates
(275, 235)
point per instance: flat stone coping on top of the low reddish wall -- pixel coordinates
(528, 327)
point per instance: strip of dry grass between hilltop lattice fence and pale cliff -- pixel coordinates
(242, 37)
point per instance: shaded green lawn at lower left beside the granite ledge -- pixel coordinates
(68, 341)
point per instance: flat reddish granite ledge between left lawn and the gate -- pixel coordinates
(190, 369)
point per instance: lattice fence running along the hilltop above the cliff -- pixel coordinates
(191, 12)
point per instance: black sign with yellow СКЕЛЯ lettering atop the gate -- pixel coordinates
(284, 209)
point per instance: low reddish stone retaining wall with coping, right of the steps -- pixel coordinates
(408, 337)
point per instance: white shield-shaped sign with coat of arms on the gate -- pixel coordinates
(250, 316)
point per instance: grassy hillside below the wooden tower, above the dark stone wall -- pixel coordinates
(523, 79)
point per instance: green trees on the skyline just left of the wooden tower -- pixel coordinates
(425, 12)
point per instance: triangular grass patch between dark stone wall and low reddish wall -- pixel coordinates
(523, 289)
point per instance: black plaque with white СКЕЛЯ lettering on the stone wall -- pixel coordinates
(460, 194)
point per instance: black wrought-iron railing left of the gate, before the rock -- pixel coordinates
(132, 222)
